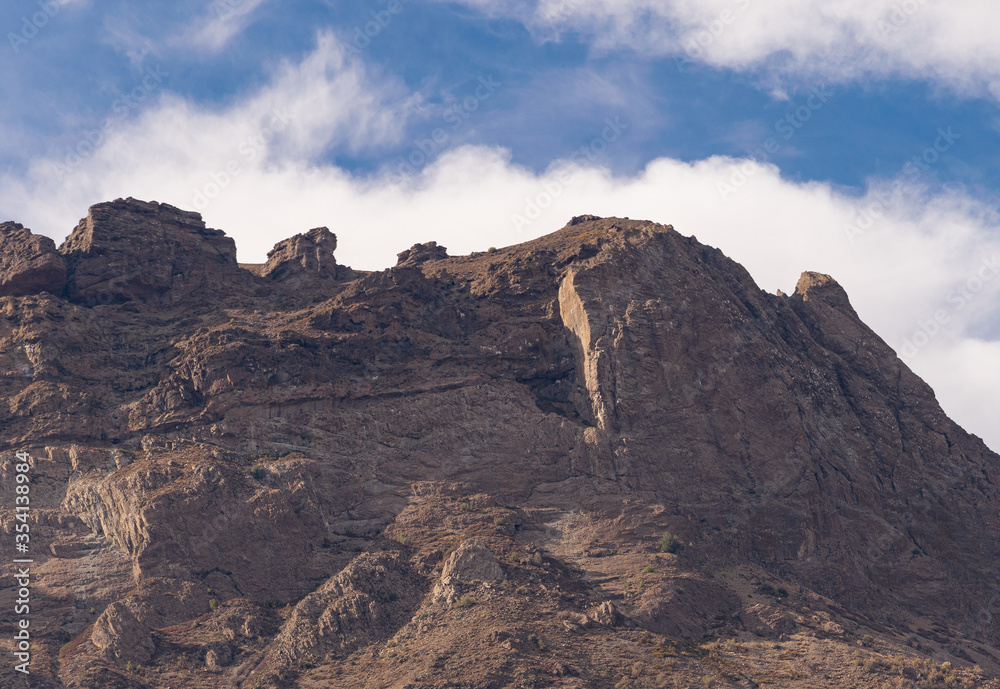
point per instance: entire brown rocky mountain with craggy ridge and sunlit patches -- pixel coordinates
(603, 458)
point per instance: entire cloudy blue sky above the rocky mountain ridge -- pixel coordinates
(857, 138)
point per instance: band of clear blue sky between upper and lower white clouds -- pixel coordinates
(553, 95)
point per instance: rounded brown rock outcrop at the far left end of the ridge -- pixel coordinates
(29, 263)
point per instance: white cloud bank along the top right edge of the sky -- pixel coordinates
(951, 43)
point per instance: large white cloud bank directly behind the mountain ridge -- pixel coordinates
(911, 262)
